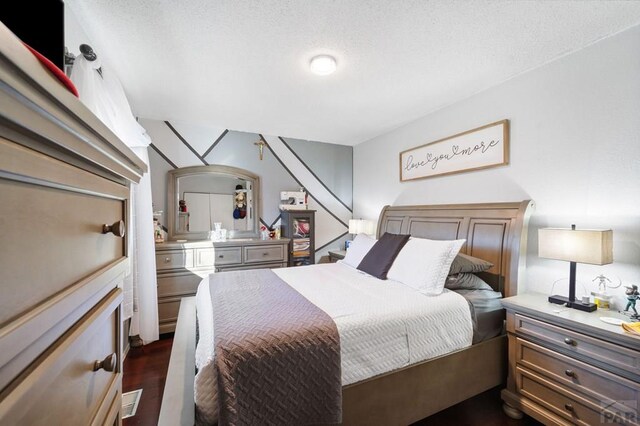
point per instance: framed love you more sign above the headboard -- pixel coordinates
(480, 148)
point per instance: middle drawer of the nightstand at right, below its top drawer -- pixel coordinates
(572, 374)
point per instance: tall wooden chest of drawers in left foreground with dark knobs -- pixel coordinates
(63, 176)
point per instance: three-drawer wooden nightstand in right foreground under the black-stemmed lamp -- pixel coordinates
(568, 366)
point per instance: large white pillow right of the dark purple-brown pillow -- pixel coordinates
(424, 264)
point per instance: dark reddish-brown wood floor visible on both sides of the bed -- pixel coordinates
(146, 368)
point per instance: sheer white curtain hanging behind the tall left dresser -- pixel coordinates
(101, 91)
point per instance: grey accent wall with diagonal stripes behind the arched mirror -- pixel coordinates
(330, 164)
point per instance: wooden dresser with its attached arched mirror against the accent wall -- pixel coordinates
(198, 198)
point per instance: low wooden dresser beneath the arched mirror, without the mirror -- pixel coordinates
(181, 267)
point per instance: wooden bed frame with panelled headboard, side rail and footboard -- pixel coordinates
(495, 232)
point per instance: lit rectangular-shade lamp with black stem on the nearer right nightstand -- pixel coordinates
(575, 246)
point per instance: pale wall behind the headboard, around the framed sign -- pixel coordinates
(575, 150)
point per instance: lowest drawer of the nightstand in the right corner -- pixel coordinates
(568, 405)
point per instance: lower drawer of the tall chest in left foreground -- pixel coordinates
(62, 386)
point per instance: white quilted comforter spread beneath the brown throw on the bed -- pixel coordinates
(383, 325)
